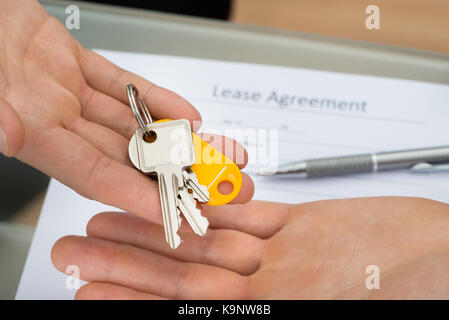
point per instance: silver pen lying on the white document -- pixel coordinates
(417, 160)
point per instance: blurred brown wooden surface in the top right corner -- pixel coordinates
(418, 24)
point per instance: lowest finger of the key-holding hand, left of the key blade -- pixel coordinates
(75, 162)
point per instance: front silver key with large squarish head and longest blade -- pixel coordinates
(168, 156)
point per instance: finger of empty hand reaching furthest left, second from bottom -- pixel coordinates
(106, 261)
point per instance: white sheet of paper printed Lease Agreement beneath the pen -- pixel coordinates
(281, 114)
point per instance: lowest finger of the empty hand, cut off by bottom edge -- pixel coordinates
(109, 291)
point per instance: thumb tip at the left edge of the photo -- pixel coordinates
(12, 134)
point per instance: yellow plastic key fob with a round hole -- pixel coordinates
(211, 168)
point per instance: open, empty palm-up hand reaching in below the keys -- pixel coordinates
(263, 250)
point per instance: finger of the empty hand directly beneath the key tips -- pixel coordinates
(236, 251)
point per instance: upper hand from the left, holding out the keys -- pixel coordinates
(63, 110)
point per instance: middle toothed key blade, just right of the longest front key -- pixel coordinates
(187, 205)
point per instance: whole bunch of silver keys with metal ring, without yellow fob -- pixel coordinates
(165, 149)
